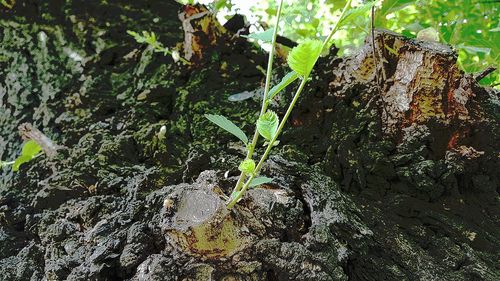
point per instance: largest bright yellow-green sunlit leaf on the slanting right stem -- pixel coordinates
(303, 57)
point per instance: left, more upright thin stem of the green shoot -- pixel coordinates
(267, 86)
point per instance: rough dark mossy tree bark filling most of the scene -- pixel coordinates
(382, 174)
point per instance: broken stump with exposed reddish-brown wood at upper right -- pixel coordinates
(423, 85)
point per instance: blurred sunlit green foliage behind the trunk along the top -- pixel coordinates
(472, 27)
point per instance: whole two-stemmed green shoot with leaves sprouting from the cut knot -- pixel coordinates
(301, 60)
